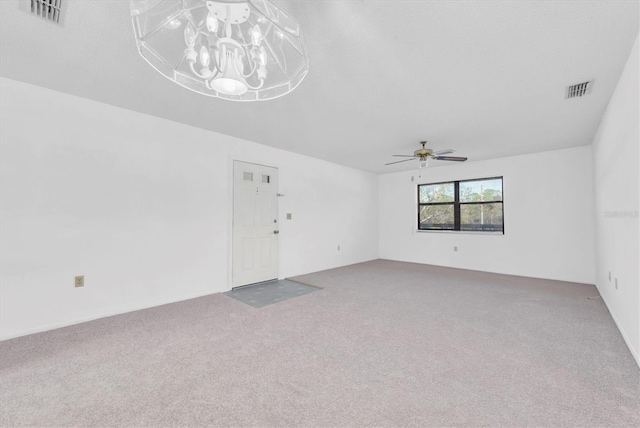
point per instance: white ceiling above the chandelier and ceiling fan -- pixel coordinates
(486, 78)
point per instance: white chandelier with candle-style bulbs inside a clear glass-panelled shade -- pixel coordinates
(242, 50)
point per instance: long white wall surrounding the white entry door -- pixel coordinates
(142, 207)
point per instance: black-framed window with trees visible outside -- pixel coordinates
(467, 205)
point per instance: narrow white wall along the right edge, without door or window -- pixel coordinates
(616, 162)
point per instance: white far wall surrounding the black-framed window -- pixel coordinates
(548, 218)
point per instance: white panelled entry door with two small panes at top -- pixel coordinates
(255, 223)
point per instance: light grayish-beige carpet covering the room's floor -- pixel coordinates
(381, 344)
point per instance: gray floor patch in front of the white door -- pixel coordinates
(270, 292)
